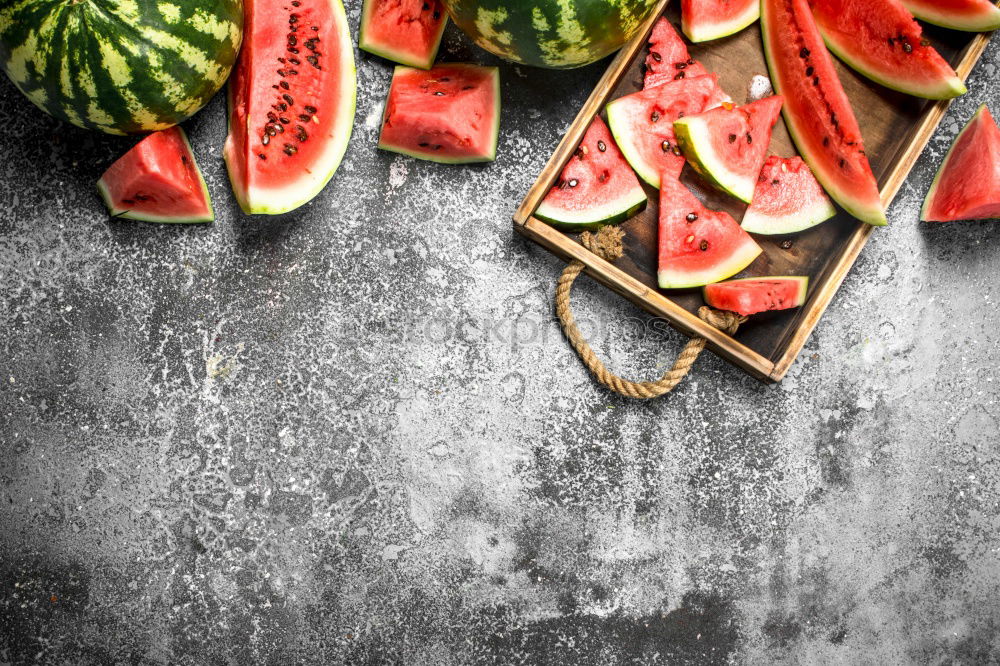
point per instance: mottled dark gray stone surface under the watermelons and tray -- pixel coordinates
(355, 434)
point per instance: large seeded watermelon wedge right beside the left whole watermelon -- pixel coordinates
(291, 103)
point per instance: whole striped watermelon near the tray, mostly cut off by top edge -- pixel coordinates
(559, 34)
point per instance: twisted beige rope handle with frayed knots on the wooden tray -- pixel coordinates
(607, 244)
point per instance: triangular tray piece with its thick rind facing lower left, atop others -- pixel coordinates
(728, 145)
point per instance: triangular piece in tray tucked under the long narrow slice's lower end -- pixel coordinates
(788, 199)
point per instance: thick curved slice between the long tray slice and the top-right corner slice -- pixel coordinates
(887, 46)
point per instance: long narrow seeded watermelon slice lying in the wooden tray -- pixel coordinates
(817, 112)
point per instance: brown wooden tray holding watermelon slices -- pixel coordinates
(895, 127)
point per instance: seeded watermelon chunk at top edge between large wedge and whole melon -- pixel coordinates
(404, 31)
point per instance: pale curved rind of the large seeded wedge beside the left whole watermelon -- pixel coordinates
(291, 197)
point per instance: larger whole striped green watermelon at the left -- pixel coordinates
(120, 66)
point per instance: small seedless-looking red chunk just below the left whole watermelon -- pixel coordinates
(157, 181)
